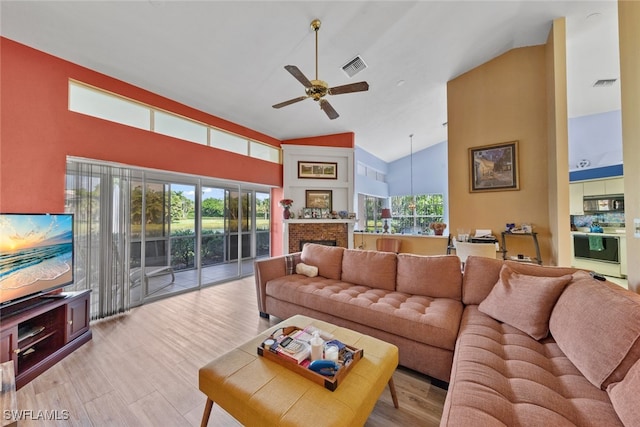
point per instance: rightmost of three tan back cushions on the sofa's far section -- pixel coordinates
(433, 276)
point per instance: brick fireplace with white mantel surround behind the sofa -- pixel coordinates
(296, 231)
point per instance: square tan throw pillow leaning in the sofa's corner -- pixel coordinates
(524, 302)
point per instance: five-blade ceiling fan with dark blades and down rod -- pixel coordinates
(318, 89)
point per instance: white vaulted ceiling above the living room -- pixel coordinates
(227, 57)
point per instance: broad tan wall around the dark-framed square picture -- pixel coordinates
(502, 100)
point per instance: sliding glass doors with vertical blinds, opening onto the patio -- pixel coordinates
(172, 233)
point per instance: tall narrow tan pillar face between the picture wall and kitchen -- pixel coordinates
(558, 154)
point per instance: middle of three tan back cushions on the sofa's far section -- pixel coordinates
(370, 268)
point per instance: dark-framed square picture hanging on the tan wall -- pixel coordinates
(494, 167)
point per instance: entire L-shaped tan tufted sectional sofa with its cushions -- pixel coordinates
(519, 344)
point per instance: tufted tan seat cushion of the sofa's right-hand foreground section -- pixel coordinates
(502, 376)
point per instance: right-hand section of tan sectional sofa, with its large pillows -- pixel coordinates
(584, 372)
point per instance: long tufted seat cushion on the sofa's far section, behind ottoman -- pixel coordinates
(432, 321)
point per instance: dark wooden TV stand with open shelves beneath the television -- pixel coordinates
(42, 331)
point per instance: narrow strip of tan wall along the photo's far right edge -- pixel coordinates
(629, 35)
